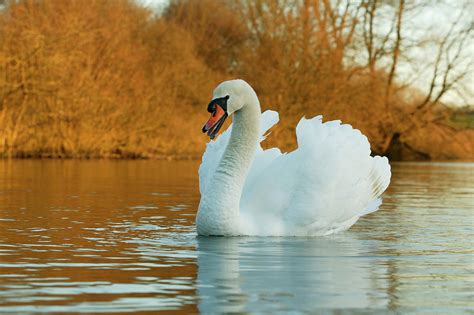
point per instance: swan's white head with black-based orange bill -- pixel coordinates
(227, 98)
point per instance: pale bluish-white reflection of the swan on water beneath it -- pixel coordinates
(283, 274)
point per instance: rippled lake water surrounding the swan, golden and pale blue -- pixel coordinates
(119, 236)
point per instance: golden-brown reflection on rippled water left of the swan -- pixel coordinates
(85, 233)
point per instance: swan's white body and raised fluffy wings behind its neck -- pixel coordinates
(322, 187)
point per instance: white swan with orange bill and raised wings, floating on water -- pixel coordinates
(322, 187)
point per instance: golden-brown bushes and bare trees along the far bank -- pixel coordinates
(102, 78)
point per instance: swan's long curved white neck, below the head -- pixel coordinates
(219, 209)
